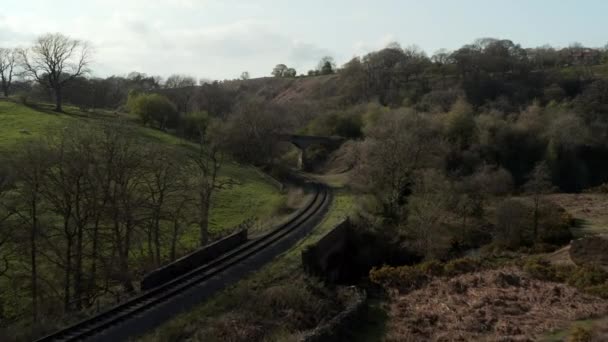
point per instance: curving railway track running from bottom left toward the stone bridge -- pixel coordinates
(147, 310)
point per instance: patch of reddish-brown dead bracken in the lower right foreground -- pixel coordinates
(496, 305)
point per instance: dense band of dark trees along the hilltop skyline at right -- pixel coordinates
(488, 70)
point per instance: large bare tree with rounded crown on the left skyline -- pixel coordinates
(54, 60)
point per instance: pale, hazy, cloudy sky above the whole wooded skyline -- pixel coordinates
(219, 39)
